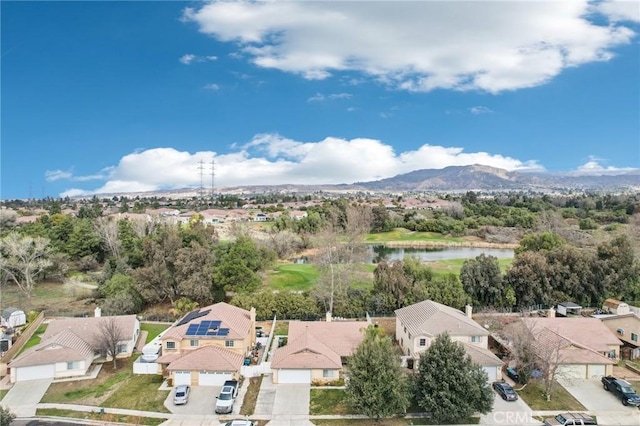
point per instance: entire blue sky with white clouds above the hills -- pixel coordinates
(104, 97)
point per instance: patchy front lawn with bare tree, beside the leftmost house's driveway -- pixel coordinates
(118, 388)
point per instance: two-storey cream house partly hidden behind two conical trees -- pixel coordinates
(418, 324)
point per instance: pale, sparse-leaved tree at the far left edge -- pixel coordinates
(23, 259)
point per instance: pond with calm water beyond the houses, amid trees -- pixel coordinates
(430, 254)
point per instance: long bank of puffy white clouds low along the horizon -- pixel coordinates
(271, 159)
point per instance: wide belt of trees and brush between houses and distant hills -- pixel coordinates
(144, 263)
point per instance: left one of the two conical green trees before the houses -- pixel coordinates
(377, 387)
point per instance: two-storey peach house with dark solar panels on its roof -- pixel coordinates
(208, 345)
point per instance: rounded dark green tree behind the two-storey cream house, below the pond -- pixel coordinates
(482, 280)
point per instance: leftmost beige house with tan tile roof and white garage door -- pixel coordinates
(69, 346)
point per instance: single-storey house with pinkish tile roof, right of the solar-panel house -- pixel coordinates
(316, 350)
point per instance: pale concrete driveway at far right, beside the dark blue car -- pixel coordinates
(590, 393)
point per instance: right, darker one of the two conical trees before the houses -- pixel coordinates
(448, 385)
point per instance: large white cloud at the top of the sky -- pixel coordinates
(422, 45)
